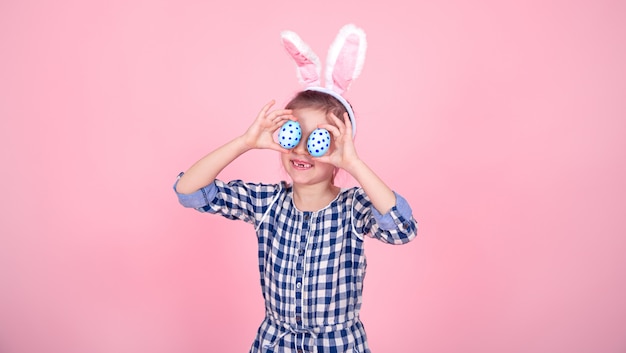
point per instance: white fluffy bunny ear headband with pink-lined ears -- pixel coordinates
(344, 63)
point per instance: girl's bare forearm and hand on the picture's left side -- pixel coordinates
(258, 135)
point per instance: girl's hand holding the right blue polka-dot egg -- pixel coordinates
(343, 155)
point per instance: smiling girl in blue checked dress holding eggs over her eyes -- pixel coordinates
(310, 232)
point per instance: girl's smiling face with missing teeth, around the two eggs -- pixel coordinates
(298, 163)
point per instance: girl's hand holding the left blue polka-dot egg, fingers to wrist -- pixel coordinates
(261, 133)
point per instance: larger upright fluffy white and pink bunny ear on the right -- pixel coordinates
(346, 57)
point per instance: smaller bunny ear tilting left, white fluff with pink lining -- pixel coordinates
(307, 62)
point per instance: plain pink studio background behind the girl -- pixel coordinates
(502, 122)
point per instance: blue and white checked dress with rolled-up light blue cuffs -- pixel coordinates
(311, 264)
